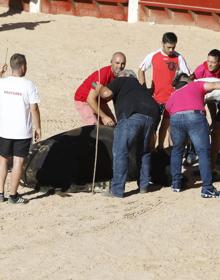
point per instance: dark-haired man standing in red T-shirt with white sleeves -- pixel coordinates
(165, 63)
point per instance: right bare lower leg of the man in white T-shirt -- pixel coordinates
(16, 174)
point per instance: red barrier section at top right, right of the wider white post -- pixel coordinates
(204, 13)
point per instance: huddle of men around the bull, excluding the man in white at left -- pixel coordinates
(174, 100)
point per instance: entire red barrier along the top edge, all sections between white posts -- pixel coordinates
(204, 13)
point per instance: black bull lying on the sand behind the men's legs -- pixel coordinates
(68, 158)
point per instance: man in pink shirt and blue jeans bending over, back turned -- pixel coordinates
(188, 119)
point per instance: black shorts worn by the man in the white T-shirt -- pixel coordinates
(14, 147)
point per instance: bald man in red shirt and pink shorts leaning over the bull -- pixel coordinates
(104, 76)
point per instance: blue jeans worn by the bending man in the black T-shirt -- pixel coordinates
(138, 128)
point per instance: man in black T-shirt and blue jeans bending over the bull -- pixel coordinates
(137, 117)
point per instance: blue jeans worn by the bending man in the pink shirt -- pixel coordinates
(194, 125)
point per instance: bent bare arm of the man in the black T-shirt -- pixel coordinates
(92, 100)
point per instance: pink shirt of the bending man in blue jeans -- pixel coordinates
(189, 97)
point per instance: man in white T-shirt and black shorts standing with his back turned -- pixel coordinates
(18, 110)
